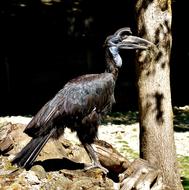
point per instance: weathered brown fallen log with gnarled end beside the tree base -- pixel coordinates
(138, 175)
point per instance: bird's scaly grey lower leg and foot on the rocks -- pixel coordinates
(95, 161)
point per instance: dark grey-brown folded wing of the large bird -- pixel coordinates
(77, 99)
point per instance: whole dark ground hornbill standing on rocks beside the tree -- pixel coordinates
(80, 104)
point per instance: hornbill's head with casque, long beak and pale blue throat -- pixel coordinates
(123, 39)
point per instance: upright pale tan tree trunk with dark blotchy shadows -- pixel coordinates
(153, 71)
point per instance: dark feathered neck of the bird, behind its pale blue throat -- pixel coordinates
(110, 65)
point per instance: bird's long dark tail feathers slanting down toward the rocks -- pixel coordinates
(28, 154)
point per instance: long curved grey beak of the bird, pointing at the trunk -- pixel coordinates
(134, 42)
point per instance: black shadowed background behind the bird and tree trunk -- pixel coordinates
(45, 43)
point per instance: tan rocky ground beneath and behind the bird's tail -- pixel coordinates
(60, 169)
